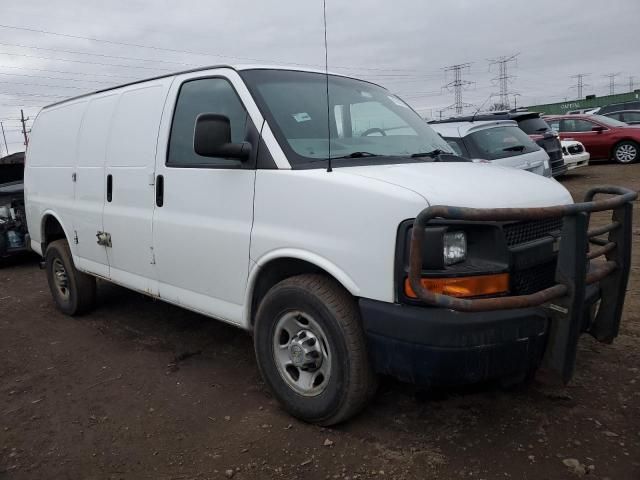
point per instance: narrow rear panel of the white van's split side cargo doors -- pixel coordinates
(90, 184)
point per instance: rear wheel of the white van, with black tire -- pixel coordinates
(73, 292)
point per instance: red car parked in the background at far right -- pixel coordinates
(603, 137)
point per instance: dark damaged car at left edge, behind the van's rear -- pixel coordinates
(13, 221)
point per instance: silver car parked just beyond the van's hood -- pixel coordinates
(500, 142)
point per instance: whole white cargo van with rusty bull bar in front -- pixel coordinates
(211, 189)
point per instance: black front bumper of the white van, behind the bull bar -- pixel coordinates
(437, 346)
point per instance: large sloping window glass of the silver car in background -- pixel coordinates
(501, 142)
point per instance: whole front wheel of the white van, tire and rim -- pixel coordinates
(311, 349)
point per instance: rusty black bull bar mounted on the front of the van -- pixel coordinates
(575, 270)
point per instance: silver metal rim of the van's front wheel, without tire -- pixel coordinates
(301, 353)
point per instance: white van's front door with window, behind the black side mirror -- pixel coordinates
(204, 206)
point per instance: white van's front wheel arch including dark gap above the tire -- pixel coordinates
(277, 266)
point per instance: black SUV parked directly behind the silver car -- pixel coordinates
(530, 123)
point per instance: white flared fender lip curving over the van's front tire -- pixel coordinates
(254, 269)
